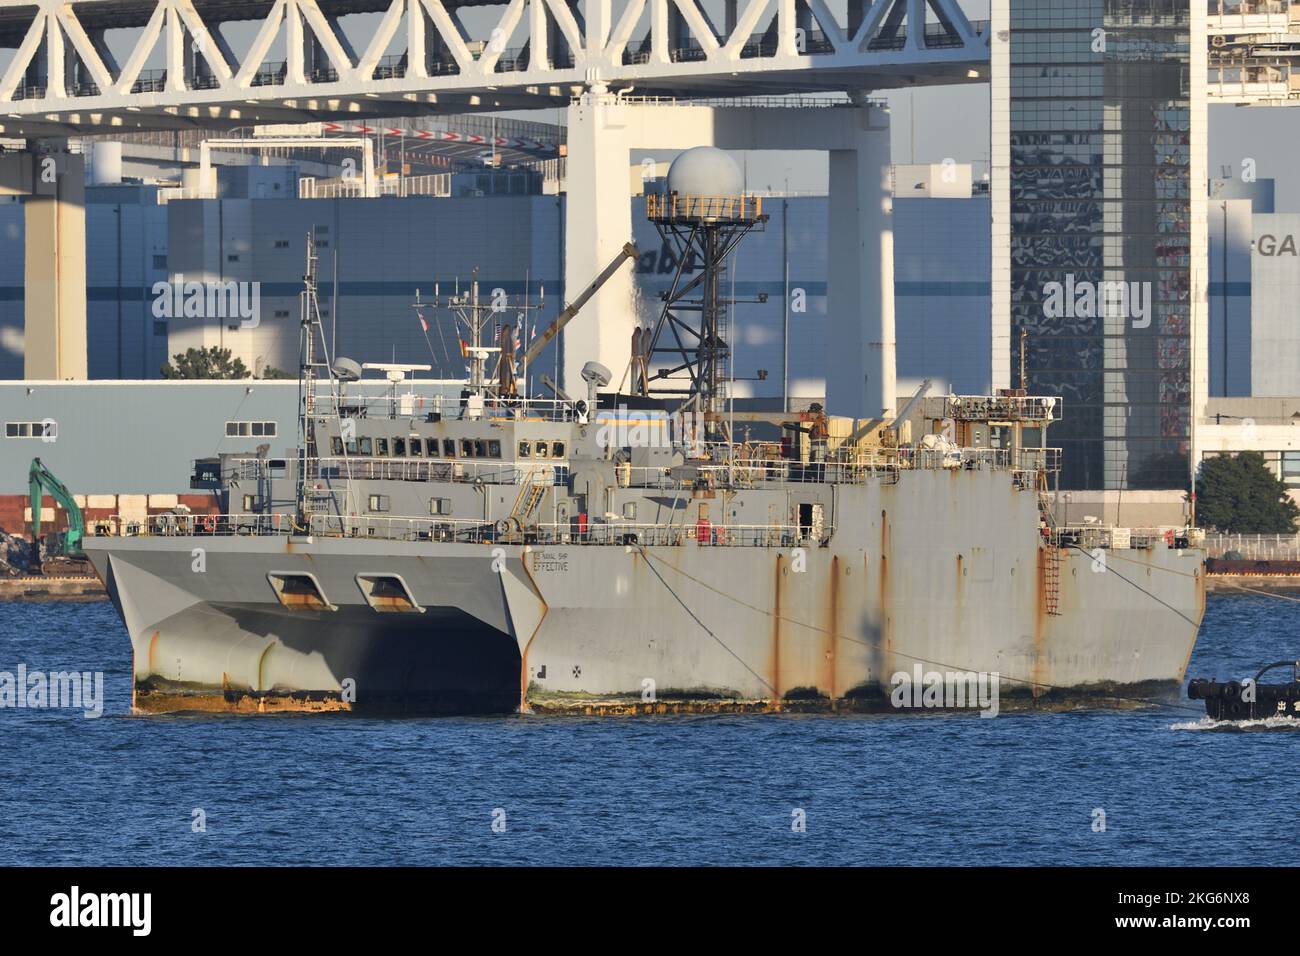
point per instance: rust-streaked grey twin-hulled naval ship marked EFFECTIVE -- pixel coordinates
(488, 552)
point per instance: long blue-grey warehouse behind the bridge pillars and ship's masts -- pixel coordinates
(389, 248)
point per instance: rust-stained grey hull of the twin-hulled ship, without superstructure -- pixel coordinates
(947, 572)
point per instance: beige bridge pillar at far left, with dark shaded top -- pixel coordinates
(54, 187)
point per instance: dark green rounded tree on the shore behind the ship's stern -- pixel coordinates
(1240, 495)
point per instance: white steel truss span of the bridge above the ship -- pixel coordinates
(98, 66)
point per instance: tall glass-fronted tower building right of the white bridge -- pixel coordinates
(1098, 110)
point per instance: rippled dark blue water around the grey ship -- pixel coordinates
(1021, 789)
